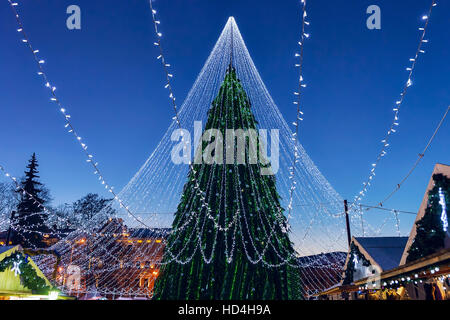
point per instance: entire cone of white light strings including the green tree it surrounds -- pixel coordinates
(255, 230)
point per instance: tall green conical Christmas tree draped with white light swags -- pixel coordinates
(240, 249)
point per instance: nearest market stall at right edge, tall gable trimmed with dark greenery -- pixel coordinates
(424, 269)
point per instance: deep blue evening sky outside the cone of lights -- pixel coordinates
(107, 76)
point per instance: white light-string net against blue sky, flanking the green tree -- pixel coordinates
(154, 192)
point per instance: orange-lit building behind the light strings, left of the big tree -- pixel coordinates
(127, 266)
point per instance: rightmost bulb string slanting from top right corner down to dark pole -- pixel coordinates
(397, 106)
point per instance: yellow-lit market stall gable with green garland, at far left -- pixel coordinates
(20, 278)
